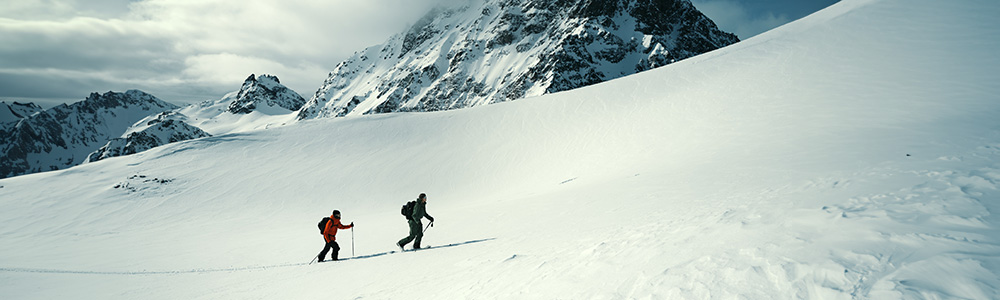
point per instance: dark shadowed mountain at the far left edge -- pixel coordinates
(63, 136)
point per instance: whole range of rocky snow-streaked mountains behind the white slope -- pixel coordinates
(493, 51)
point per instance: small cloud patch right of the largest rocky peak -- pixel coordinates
(735, 17)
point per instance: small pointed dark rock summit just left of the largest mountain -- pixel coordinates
(265, 90)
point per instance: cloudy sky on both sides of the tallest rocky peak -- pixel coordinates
(184, 51)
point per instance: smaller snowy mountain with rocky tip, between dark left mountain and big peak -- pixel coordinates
(261, 102)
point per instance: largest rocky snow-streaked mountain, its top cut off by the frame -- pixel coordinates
(500, 50)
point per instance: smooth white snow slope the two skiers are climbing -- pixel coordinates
(853, 154)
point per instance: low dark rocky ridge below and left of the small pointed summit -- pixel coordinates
(160, 131)
